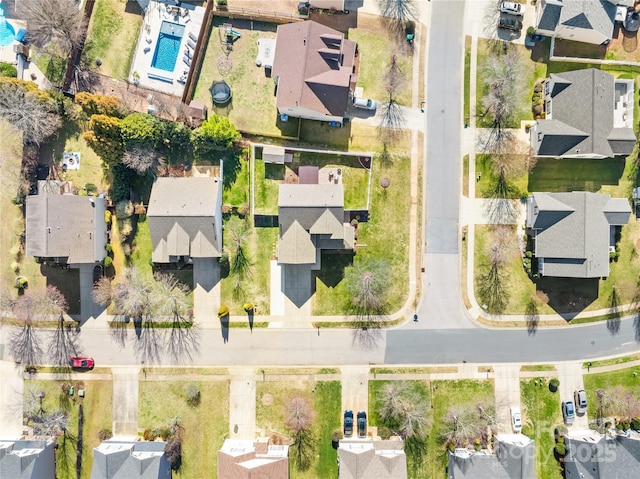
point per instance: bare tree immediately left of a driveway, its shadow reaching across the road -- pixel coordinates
(170, 299)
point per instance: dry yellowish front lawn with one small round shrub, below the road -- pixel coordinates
(205, 425)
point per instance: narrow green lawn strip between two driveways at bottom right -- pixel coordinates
(540, 415)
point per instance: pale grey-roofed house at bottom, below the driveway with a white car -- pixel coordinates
(513, 459)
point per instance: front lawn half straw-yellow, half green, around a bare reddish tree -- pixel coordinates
(325, 399)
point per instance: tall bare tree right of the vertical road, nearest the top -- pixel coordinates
(503, 75)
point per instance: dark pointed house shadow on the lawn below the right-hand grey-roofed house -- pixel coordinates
(569, 296)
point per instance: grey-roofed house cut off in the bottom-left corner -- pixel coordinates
(28, 458)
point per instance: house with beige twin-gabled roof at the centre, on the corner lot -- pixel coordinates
(311, 218)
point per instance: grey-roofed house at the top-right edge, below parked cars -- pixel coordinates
(589, 21)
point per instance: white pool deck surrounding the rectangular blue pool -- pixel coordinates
(153, 78)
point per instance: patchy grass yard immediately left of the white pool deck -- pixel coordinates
(112, 36)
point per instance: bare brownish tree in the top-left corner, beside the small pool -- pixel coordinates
(53, 21)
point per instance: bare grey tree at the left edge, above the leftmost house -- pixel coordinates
(34, 115)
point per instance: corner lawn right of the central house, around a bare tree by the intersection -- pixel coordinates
(389, 219)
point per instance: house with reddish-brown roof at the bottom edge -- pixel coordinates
(247, 459)
